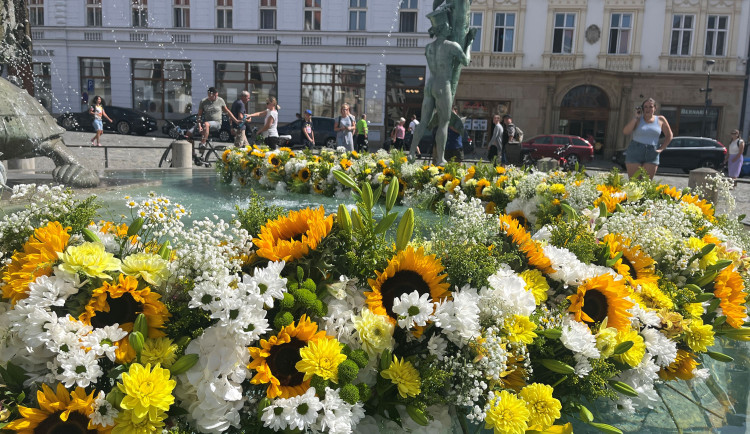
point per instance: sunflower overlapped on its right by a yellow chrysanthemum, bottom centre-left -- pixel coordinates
(275, 359)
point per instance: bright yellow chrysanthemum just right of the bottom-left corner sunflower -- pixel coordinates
(148, 392)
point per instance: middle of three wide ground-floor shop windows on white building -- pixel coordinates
(257, 78)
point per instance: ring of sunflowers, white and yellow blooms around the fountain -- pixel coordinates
(538, 294)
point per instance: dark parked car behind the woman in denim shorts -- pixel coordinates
(688, 153)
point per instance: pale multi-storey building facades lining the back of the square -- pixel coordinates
(565, 66)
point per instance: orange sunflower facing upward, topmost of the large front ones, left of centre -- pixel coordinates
(292, 236)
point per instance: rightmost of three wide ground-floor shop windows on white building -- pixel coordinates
(326, 86)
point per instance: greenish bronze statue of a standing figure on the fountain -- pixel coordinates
(445, 58)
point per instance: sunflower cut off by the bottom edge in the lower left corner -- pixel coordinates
(59, 411)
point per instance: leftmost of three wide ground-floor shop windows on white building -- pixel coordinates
(162, 88)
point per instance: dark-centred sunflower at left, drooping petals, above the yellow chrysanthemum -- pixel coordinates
(121, 303)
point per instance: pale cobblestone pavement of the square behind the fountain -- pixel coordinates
(143, 152)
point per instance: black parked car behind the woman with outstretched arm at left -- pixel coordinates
(124, 121)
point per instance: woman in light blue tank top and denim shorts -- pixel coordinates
(644, 149)
